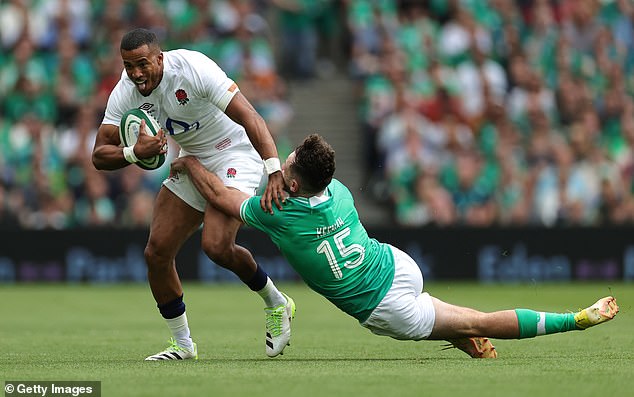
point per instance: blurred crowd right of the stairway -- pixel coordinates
(497, 112)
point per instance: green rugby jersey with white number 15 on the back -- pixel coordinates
(324, 241)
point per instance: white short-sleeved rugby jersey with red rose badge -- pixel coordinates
(189, 103)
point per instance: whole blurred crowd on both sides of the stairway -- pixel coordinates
(473, 112)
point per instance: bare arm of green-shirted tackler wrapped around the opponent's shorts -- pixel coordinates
(225, 199)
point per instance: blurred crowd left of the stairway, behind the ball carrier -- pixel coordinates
(59, 62)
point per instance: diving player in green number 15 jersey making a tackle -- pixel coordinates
(319, 233)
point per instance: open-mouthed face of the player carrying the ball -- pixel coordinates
(144, 66)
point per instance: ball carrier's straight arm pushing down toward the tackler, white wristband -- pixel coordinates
(242, 112)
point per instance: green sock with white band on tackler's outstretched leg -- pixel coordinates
(534, 323)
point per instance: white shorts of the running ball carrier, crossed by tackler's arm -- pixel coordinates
(240, 168)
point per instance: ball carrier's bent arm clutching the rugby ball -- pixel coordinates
(107, 154)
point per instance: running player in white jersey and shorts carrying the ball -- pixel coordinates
(203, 110)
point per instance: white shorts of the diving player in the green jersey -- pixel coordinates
(404, 313)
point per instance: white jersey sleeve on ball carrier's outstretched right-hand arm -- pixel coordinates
(212, 81)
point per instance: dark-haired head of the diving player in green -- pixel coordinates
(314, 164)
